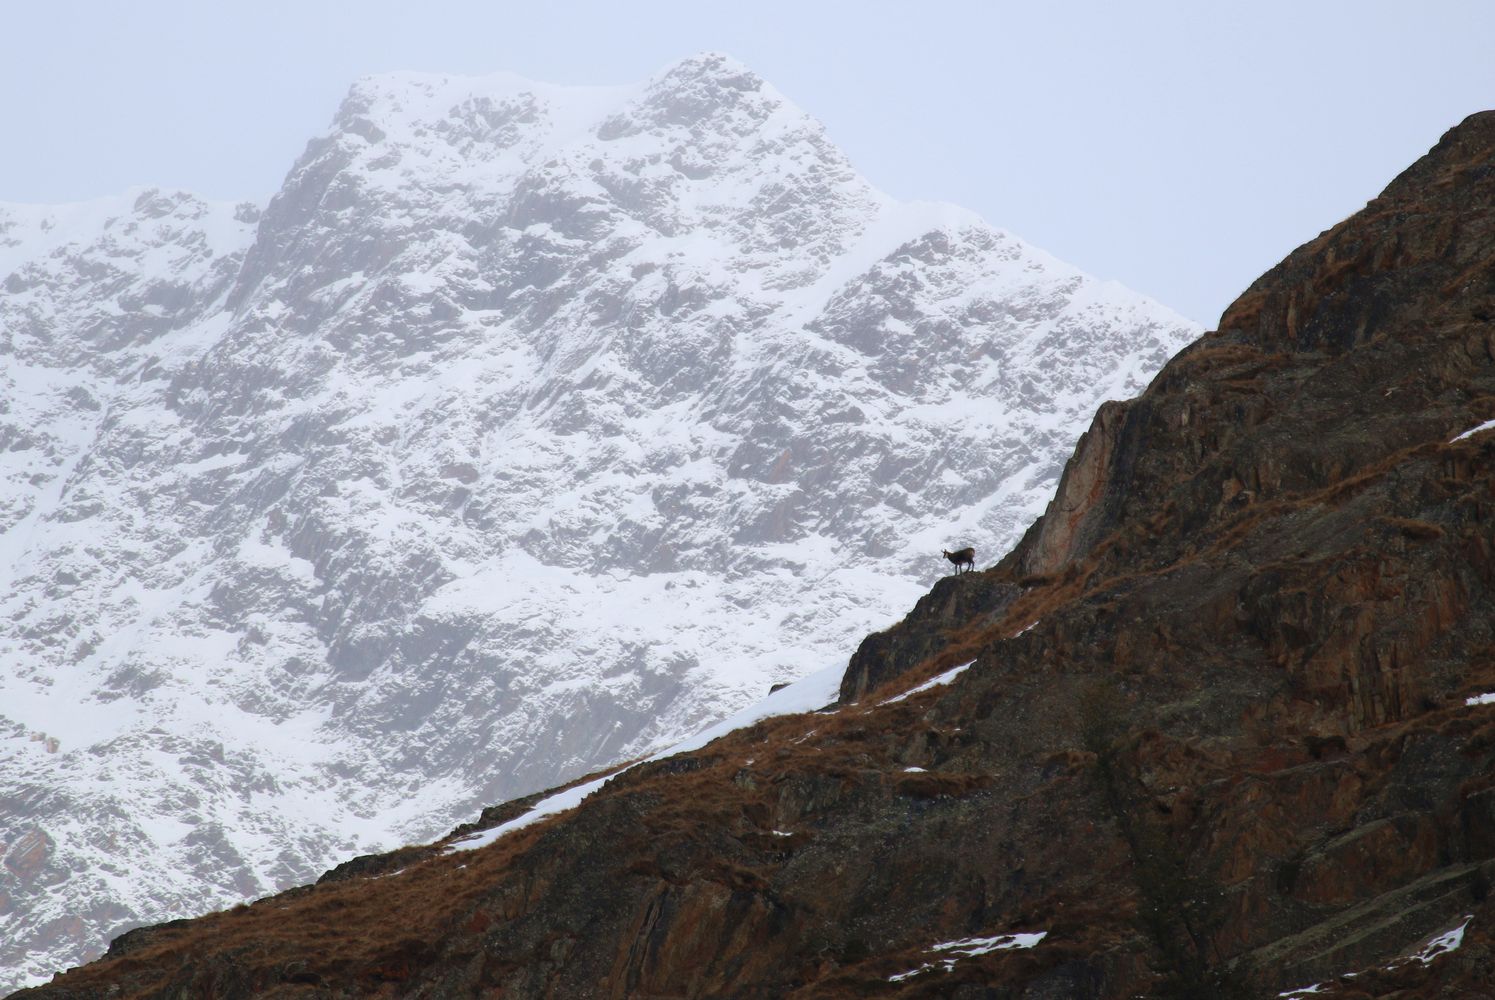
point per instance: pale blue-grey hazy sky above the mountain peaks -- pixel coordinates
(1180, 149)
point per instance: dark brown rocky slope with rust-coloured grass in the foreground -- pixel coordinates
(1215, 742)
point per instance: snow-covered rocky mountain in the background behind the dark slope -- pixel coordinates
(525, 430)
